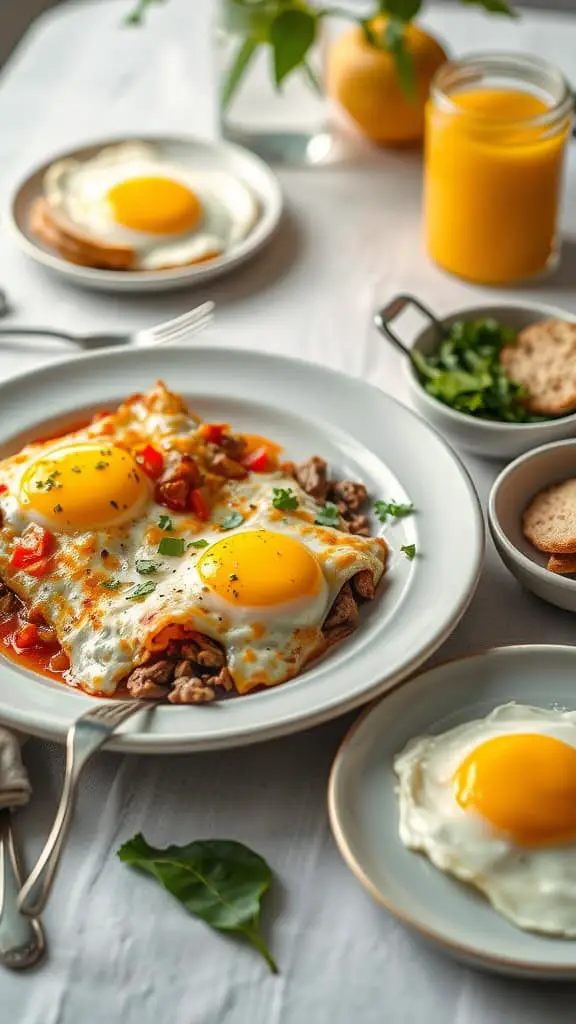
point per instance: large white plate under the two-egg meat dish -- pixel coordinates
(366, 436)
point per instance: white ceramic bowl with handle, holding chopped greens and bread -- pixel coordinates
(498, 441)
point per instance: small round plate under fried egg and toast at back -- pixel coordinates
(189, 153)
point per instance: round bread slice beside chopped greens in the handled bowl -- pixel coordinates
(544, 360)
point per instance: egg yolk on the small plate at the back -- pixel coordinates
(159, 206)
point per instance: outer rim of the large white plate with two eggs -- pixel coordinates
(157, 744)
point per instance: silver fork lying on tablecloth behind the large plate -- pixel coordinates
(163, 334)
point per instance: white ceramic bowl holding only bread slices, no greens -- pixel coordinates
(513, 491)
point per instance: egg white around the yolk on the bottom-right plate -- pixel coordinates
(534, 888)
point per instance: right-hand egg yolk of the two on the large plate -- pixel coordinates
(261, 568)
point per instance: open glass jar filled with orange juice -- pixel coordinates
(498, 127)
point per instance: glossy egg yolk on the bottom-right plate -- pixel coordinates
(524, 785)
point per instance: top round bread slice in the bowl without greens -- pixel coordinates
(550, 521)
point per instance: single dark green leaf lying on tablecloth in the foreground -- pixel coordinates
(220, 881)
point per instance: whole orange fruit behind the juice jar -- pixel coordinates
(365, 82)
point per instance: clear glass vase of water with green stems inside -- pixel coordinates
(286, 124)
